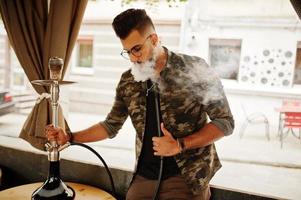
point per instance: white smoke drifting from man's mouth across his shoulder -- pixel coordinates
(198, 79)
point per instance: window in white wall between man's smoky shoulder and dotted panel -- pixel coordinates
(224, 56)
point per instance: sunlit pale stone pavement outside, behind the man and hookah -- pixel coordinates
(251, 164)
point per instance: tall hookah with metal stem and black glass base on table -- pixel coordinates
(54, 187)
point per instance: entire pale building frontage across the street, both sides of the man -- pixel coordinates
(254, 46)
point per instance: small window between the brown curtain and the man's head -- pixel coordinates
(83, 58)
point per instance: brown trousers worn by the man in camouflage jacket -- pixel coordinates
(173, 188)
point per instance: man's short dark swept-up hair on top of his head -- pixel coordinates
(129, 20)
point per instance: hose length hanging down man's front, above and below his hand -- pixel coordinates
(155, 197)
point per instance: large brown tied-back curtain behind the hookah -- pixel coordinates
(36, 35)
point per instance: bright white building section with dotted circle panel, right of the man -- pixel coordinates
(255, 48)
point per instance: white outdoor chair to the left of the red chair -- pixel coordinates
(254, 118)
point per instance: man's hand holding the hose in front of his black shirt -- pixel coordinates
(165, 145)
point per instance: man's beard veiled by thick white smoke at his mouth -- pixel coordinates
(146, 70)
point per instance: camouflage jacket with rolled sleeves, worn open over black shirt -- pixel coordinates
(190, 95)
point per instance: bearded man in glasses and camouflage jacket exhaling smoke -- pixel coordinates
(193, 114)
